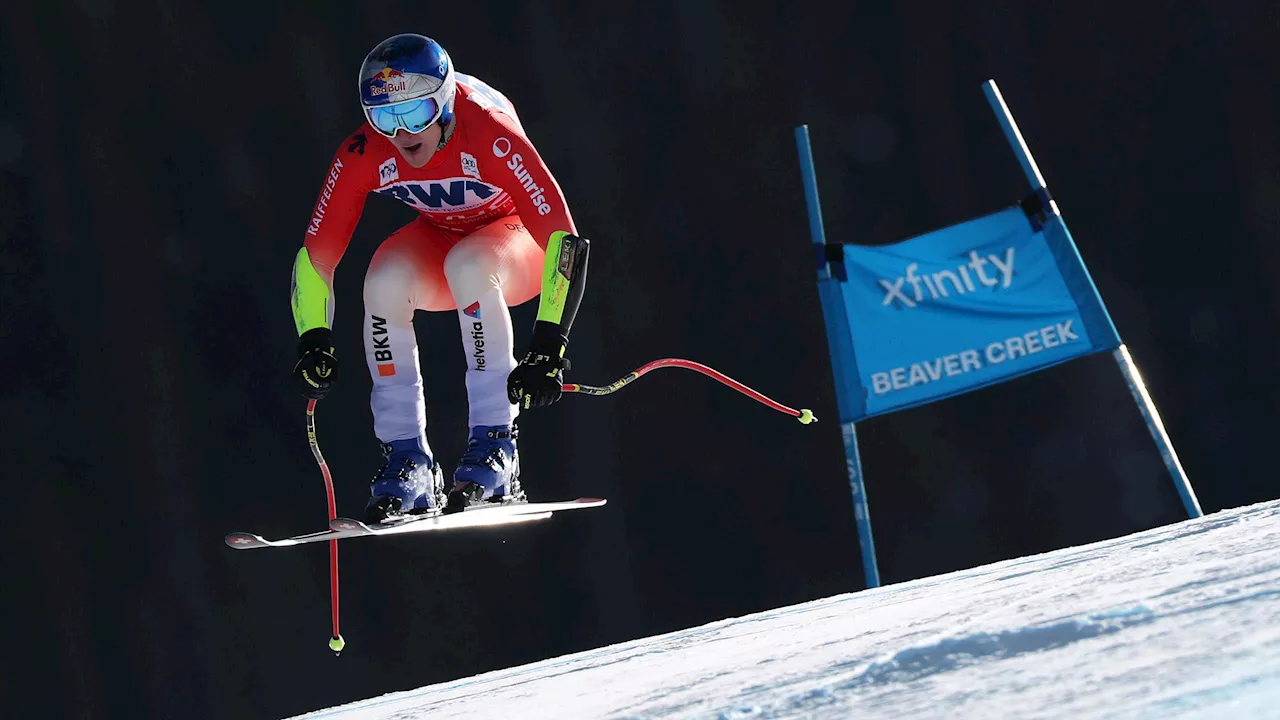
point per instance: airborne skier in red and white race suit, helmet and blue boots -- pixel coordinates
(493, 231)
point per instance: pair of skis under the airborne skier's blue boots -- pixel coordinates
(474, 517)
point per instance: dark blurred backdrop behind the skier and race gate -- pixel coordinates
(158, 167)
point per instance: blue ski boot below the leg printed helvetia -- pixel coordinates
(490, 471)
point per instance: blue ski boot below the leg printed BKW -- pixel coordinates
(409, 482)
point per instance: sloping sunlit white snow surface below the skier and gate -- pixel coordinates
(1180, 622)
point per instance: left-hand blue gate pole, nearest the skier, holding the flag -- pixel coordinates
(834, 316)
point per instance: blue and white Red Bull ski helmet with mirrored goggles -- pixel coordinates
(408, 83)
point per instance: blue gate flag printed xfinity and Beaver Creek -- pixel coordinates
(967, 307)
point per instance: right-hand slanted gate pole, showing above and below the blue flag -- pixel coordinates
(1122, 354)
